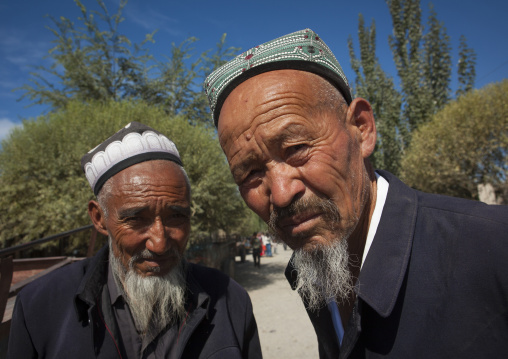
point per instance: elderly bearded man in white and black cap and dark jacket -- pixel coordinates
(137, 297)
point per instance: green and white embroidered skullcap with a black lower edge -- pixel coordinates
(302, 50)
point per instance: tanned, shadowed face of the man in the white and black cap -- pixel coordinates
(149, 209)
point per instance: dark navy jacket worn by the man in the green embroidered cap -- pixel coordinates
(434, 283)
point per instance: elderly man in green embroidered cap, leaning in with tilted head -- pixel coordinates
(383, 270)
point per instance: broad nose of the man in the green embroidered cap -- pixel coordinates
(285, 184)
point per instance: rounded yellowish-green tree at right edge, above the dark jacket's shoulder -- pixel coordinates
(464, 145)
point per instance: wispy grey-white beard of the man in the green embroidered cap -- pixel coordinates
(323, 274)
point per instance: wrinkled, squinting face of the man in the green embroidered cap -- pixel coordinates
(286, 153)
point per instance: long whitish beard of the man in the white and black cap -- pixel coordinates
(154, 301)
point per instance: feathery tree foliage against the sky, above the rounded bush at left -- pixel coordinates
(92, 61)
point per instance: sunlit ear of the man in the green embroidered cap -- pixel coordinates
(360, 115)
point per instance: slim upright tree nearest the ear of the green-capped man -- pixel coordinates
(373, 84)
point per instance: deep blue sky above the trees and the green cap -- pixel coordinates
(24, 39)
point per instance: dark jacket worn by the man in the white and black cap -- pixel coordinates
(67, 314)
